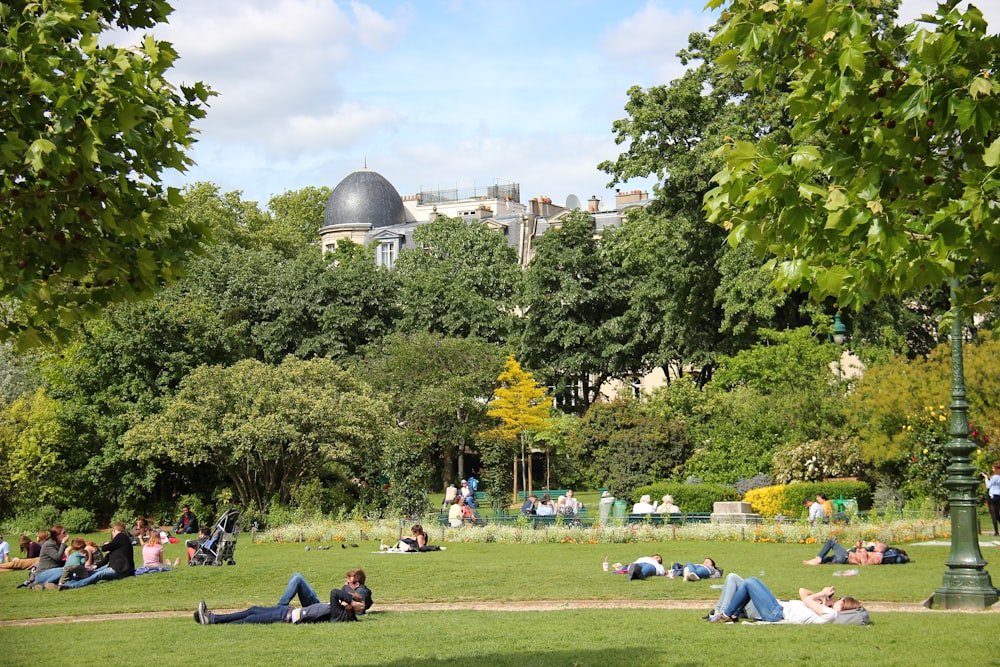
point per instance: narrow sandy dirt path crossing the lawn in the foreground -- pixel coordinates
(550, 605)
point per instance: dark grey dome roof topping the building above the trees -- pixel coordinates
(364, 197)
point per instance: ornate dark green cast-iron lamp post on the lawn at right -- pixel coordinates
(967, 584)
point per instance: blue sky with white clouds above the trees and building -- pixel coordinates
(432, 94)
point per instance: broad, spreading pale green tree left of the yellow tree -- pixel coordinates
(266, 428)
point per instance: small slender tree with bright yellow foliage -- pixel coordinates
(522, 407)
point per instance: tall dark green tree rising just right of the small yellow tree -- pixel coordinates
(568, 299)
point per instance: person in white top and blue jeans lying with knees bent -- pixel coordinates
(811, 607)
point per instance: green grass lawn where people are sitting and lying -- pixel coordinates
(501, 573)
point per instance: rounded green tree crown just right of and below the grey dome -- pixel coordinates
(457, 281)
